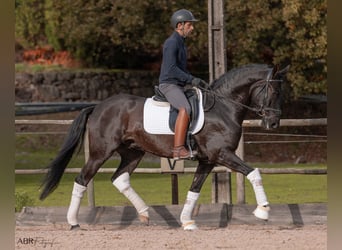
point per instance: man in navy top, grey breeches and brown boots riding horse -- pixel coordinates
(174, 76)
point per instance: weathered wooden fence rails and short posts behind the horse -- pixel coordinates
(221, 185)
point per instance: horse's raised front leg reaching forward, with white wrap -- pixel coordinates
(232, 161)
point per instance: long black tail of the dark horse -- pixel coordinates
(72, 141)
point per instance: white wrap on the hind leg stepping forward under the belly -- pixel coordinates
(122, 183)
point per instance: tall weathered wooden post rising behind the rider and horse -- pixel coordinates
(221, 184)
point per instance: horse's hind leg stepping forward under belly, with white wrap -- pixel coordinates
(121, 180)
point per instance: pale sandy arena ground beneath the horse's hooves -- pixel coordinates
(159, 237)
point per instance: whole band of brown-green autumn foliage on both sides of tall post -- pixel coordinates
(130, 34)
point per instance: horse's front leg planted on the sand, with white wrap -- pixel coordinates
(202, 172)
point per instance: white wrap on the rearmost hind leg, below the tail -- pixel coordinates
(75, 203)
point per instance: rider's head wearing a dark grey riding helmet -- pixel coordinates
(182, 21)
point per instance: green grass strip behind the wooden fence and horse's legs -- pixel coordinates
(155, 189)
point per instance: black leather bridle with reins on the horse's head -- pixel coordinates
(262, 110)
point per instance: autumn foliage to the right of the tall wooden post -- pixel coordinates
(284, 32)
